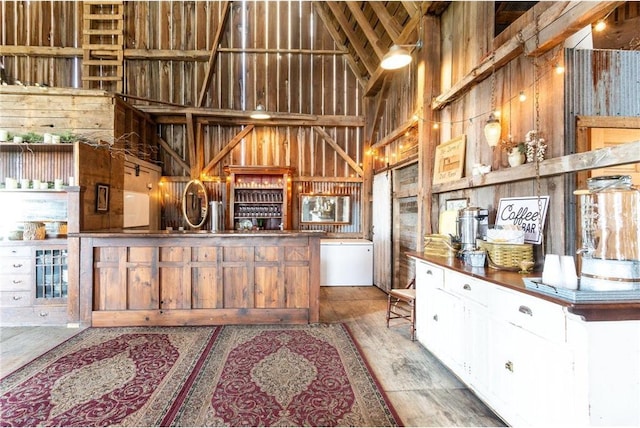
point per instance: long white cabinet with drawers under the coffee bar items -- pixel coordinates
(529, 359)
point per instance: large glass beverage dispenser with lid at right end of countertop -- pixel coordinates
(610, 234)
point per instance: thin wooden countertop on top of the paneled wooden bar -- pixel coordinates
(125, 233)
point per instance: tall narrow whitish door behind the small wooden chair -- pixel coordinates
(381, 220)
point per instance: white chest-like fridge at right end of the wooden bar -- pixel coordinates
(345, 262)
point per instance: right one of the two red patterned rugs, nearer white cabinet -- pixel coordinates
(312, 375)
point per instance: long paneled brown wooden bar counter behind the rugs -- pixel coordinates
(142, 278)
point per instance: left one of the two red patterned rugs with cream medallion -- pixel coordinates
(110, 376)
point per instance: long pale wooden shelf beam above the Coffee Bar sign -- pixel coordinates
(616, 155)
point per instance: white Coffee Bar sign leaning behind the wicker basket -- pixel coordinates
(526, 213)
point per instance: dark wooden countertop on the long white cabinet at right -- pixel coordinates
(589, 311)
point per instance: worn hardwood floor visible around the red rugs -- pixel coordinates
(423, 391)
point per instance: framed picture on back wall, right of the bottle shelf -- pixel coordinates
(325, 208)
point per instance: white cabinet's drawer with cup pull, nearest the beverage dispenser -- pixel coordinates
(538, 316)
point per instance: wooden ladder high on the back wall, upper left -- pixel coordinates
(103, 45)
